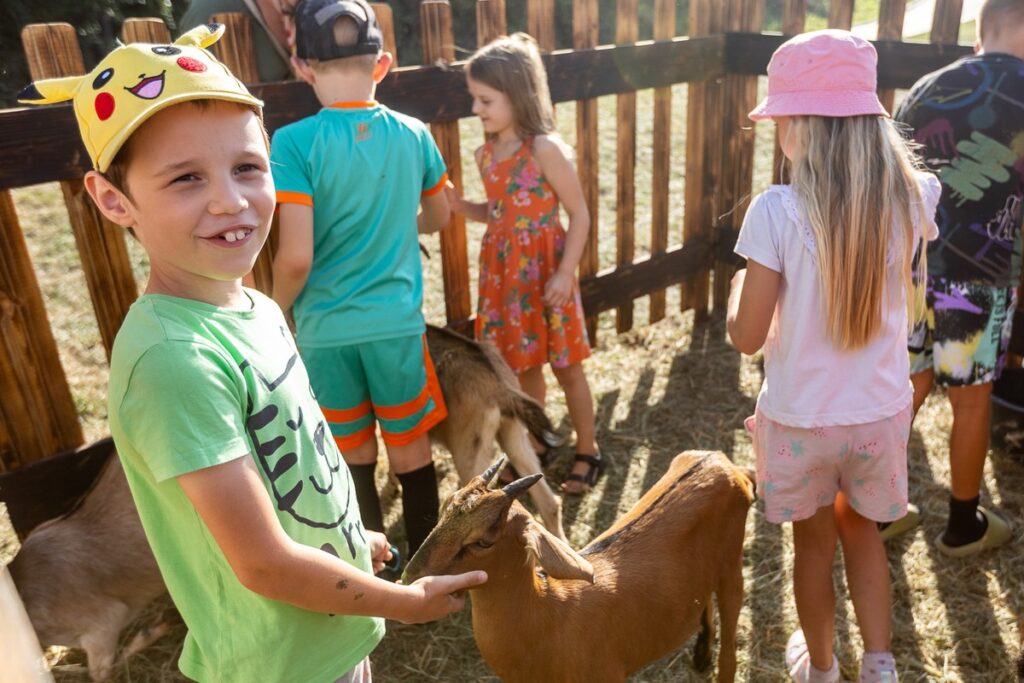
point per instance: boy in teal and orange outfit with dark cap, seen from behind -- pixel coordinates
(351, 180)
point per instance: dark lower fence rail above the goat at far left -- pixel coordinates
(53, 487)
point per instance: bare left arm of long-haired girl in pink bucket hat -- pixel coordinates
(752, 305)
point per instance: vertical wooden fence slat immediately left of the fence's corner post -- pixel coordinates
(704, 165)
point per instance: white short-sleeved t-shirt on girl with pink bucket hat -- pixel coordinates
(808, 381)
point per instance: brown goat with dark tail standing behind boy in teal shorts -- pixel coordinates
(486, 404)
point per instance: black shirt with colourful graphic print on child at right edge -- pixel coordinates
(970, 119)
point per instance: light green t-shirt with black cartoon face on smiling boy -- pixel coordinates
(193, 386)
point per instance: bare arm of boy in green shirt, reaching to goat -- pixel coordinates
(234, 504)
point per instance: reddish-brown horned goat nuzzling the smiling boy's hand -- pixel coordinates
(633, 595)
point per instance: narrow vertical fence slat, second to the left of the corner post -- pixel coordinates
(665, 29)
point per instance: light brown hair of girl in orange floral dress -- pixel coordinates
(513, 65)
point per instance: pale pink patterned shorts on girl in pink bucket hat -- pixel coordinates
(802, 469)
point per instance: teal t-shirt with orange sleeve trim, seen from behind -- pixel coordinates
(364, 169)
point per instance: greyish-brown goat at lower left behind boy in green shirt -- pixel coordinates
(84, 577)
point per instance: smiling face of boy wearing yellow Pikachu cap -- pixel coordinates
(201, 199)
